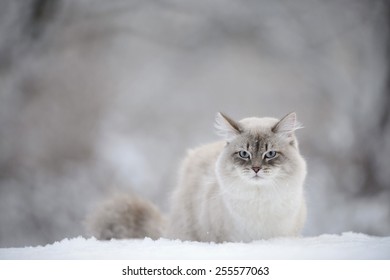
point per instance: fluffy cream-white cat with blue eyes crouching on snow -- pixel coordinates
(249, 186)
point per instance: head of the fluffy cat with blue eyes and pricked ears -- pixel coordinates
(260, 150)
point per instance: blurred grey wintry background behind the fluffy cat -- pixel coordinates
(101, 96)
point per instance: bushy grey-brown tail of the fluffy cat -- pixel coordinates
(126, 216)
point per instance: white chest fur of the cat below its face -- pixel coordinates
(264, 212)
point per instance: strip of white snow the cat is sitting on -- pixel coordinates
(345, 246)
